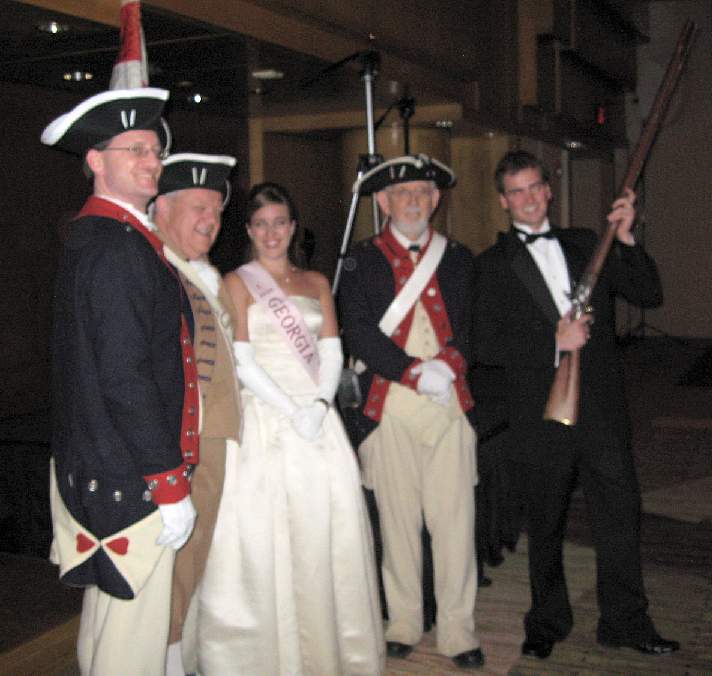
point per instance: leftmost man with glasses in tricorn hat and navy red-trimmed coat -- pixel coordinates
(124, 391)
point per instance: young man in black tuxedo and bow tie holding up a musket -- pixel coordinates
(522, 323)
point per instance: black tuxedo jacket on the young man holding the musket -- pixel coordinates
(515, 326)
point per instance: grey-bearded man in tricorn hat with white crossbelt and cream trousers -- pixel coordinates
(405, 302)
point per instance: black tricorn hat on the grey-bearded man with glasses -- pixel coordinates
(403, 169)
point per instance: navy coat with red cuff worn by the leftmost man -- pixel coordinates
(118, 385)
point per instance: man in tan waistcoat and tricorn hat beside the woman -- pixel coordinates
(192, 193)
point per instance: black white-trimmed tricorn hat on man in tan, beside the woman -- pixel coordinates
(193, 170)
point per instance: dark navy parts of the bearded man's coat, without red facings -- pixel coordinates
(367, 289)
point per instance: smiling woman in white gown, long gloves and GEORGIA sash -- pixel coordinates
(290, 585)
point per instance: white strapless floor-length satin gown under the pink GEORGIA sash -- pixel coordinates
(290, 584)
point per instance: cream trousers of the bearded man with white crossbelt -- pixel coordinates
(424, 467)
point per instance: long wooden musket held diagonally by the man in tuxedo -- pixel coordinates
(563, 402)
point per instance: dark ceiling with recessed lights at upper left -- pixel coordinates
(184, 56)
